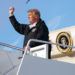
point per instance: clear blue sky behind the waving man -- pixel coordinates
(56, 13)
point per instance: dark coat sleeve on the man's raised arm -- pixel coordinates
(20, 28)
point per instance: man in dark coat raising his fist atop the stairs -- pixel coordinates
(36, 29)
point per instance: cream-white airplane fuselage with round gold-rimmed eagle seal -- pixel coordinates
(65, 36)
